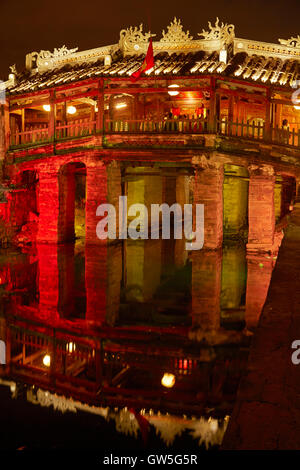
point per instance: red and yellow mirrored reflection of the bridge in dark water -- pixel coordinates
(143, 332)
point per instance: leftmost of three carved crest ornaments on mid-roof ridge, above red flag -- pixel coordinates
(133, 40)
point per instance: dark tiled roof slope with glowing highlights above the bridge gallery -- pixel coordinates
(252, 68)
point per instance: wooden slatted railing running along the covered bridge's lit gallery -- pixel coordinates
(85, 127)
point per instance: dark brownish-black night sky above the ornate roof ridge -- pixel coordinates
(32, 25)
